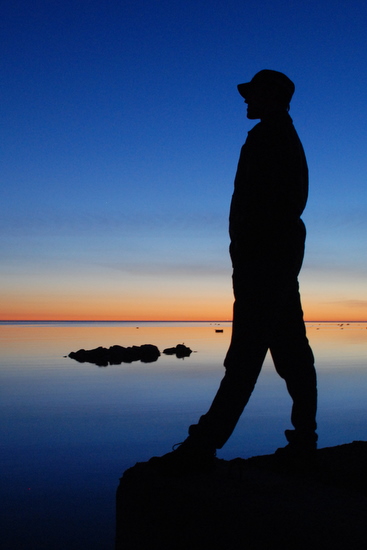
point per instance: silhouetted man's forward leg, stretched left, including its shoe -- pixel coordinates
(243, 364)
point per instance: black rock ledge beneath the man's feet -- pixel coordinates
(258, 503)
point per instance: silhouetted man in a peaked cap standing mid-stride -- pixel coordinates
(267, 248)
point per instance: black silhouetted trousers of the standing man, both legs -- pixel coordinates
(267, 315)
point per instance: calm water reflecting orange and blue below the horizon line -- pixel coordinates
(69, 430)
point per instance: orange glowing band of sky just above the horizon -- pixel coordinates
(156, 309)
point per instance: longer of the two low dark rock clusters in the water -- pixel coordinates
(115, 355)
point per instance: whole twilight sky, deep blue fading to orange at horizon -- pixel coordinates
(121, 129)
